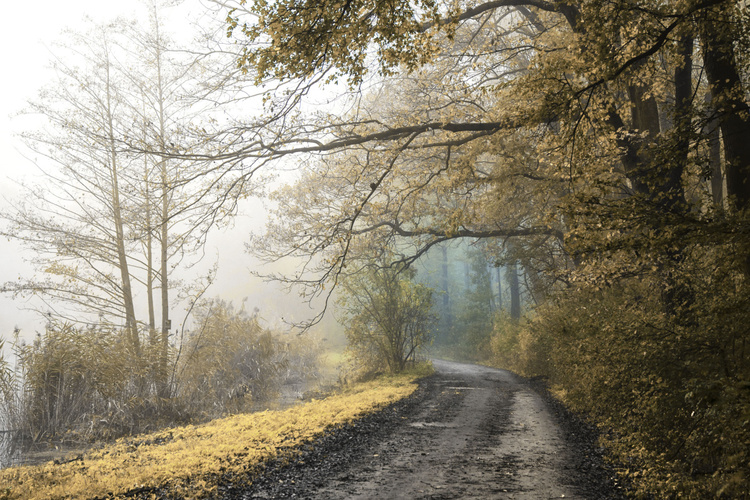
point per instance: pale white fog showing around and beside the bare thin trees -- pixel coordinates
(32, 33)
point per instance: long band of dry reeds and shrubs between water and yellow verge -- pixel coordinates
(77, 386)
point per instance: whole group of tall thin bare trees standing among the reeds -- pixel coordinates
(111, 192)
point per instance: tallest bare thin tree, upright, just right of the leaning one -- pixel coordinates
(172, 206)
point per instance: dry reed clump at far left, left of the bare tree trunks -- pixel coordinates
(77, 384)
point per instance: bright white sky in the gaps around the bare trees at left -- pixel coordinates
(26, 33)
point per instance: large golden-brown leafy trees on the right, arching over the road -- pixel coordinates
(578, 130)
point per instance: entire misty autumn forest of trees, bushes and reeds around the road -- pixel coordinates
(558, 188)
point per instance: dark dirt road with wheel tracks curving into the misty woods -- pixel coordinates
(470, 432)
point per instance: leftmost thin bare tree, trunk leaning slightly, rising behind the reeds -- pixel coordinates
(79, 230)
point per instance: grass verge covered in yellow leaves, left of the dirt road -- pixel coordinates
(188, 462)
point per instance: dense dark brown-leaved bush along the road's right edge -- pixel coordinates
(673, 390)
